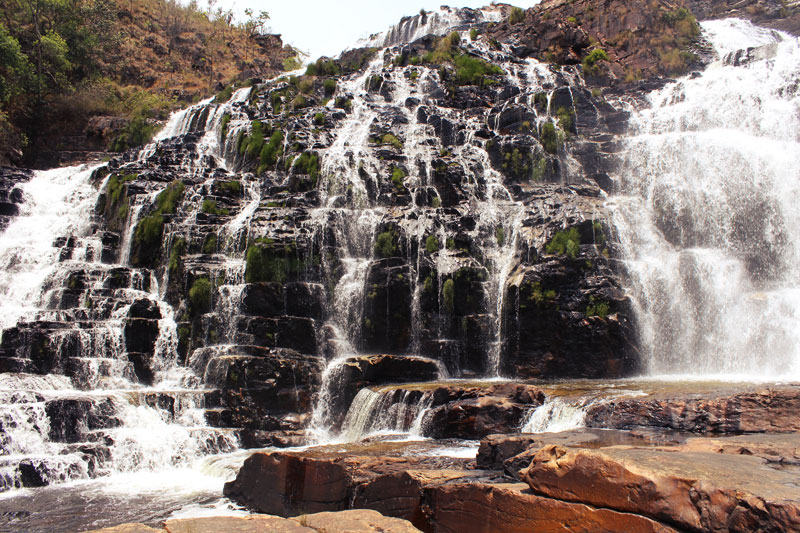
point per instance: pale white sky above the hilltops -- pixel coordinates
(325, 27)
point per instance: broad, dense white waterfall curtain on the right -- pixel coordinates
(707, 212)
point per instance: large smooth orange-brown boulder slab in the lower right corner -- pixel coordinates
(697, 491)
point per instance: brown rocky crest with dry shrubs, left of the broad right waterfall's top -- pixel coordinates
(641, 39)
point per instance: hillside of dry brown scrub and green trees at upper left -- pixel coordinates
(65, 61)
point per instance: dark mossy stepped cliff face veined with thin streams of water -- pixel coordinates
(429, 209)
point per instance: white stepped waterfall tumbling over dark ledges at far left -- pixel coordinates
(101, 420)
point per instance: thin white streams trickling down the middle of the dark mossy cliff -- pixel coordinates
(349, 211)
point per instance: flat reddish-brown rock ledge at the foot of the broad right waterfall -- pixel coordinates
(773, 409)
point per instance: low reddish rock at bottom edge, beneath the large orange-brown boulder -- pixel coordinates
(513, 508)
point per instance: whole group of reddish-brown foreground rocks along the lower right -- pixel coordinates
(587, 480)
